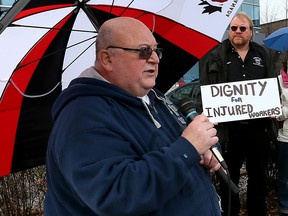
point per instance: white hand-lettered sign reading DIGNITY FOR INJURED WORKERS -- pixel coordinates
(241, 100)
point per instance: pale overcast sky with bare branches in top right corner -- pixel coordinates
(272, 10)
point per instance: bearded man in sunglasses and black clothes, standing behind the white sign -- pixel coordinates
(238, 58)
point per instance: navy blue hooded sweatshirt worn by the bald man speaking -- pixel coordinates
(110, 154)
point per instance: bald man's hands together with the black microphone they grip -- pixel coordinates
(201, 133)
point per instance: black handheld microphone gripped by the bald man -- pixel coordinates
(187, 108)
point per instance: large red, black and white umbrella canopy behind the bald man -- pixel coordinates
(49, 42)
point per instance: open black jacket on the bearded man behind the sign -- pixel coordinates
(215, 71)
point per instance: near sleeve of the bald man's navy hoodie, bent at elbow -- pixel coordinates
(111, 179)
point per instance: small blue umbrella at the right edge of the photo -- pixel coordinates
(278, 40)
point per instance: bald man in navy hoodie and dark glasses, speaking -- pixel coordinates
(118, 147)
